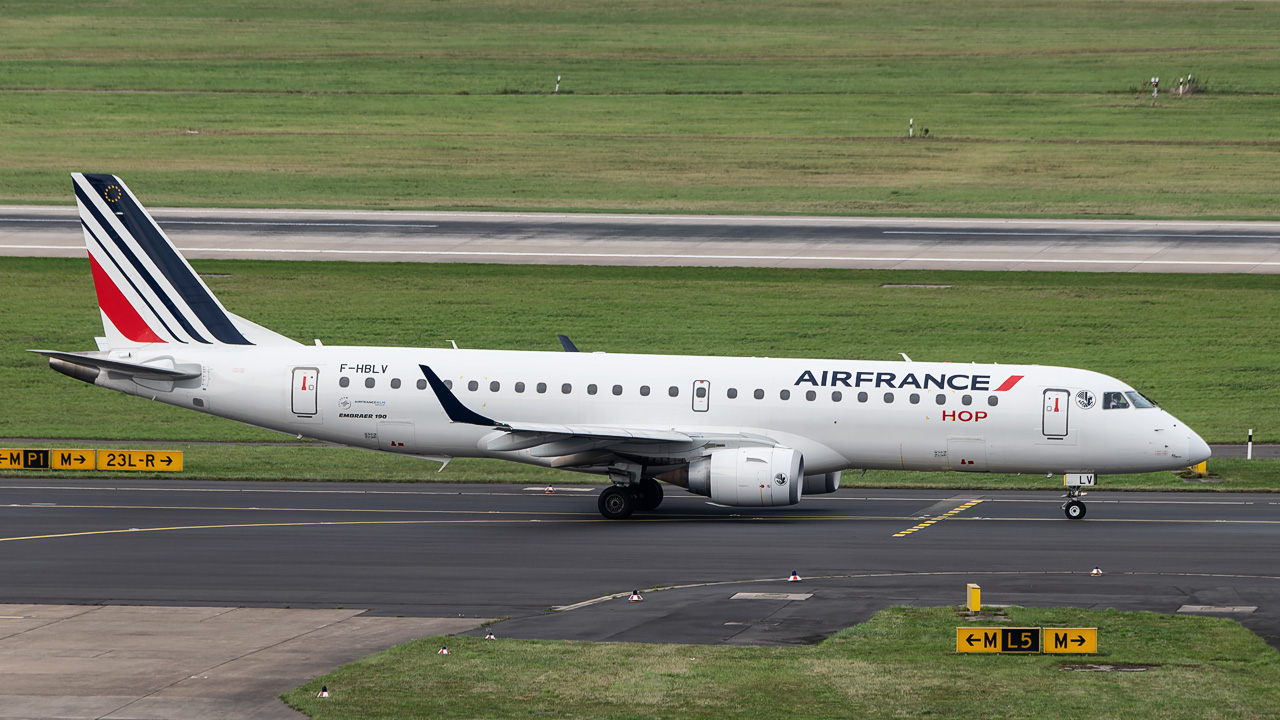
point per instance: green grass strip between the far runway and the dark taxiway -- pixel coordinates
(1199, 344)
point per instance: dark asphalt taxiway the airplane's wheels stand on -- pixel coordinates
(502, 552)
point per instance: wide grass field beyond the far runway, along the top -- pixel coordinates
(665, 107)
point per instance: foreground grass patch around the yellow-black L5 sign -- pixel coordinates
(900, 664)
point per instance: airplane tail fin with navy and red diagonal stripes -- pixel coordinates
(147, 290)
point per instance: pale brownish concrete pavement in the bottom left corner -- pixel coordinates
(122, 663)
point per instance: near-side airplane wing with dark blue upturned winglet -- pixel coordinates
(587, 448)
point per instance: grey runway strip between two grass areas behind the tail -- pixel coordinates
(682, 240)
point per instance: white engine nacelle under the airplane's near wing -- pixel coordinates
(749, 477)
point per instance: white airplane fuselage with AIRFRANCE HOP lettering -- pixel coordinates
(840, 414)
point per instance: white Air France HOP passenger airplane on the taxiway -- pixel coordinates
(749, 432)
